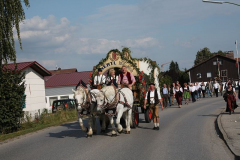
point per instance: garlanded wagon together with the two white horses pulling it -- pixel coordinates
(115, 101)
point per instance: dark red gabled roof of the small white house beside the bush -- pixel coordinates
(33, 64)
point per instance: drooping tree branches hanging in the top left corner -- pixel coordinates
(11, 14)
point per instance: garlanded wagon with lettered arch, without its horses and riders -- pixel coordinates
(144, 70)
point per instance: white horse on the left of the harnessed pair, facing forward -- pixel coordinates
(86, 102)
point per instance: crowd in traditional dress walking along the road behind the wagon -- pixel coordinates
(195, 91)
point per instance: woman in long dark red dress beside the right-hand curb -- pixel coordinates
(231, 99)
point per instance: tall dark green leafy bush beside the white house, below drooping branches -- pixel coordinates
(12, 99)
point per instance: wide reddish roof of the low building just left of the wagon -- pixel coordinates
(67, 79)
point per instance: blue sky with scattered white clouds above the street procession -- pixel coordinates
(78, 33)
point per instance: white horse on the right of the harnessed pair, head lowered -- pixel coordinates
(121, 100)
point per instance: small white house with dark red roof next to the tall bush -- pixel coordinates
(35, 86)
